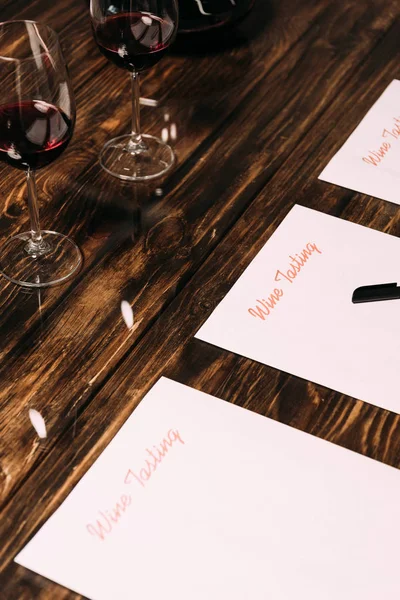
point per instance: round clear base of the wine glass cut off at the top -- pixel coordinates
(124, 159)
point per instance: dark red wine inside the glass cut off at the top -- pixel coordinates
(134, 41)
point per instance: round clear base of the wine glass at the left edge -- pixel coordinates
(59, 262)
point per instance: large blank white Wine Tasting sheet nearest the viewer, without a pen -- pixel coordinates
(240, 507)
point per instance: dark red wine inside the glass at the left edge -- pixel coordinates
(33, 133)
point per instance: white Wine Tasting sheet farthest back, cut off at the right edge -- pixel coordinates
(369, 161)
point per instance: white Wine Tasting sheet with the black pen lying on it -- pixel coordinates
(314, 330)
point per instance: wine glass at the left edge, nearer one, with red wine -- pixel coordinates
(37, 117)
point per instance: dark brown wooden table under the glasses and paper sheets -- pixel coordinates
(255, 124)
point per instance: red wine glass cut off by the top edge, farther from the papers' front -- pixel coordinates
(134, 35)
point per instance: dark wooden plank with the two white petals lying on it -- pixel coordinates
(88, 329)
